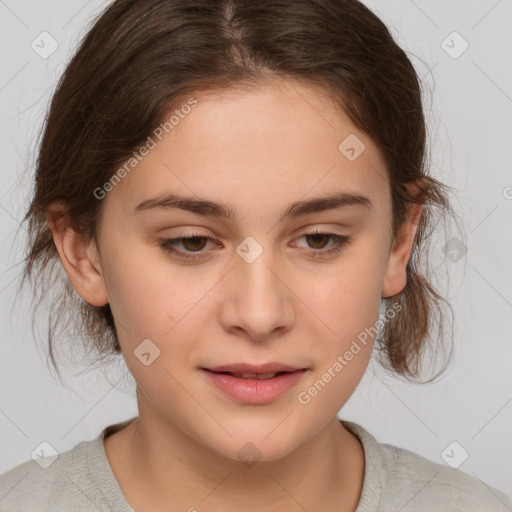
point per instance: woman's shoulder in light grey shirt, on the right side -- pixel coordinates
(410, 482)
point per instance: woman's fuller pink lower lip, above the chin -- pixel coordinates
(254, 391)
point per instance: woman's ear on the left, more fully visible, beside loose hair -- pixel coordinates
(79, 257)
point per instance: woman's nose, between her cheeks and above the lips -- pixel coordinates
(259, 301)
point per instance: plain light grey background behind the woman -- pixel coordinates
(469, 103)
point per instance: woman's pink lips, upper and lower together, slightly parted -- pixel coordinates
(254, 391)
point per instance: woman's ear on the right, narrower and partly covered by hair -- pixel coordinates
(395, 277)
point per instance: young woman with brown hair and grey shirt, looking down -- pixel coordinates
(236, 191)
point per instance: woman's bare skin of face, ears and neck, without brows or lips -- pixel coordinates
(256, 150)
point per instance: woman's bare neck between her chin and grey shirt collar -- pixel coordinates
(157, 464)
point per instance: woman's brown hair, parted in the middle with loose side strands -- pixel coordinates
(141, 59)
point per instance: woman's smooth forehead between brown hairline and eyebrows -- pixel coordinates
(258, 149)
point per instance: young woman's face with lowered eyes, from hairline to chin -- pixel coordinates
(191, 289)
